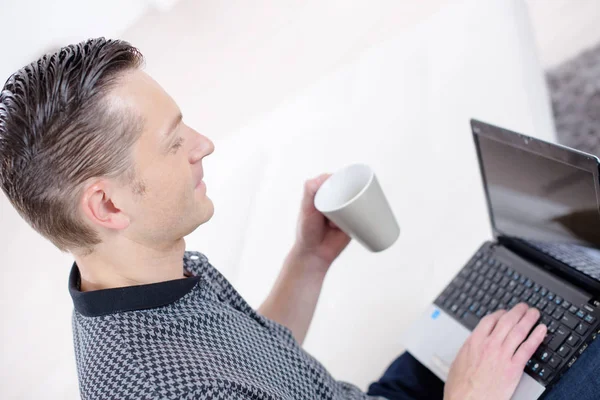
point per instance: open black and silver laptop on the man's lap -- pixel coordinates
(543, 203)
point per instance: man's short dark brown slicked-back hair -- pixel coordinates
(58, 129)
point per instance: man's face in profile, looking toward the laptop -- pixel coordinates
(168, 162)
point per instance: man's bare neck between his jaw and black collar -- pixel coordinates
(130, 264)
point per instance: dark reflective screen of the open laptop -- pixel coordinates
(549, 204)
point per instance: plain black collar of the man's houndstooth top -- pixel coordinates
(130, 298)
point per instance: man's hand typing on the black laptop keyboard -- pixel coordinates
(492, 360)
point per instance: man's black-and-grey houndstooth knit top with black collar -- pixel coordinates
(190, 338)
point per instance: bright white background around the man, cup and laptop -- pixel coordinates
(288, 89)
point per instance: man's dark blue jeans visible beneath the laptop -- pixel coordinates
(407, 379)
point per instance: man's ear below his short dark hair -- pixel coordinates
(98, 207)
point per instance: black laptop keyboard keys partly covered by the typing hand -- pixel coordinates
(485, 285)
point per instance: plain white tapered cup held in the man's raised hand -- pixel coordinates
(352, 199)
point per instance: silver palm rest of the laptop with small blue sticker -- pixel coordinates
(435, 339)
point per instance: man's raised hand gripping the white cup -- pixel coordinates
(316, 236)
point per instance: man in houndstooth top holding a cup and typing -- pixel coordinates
(96, 157)
